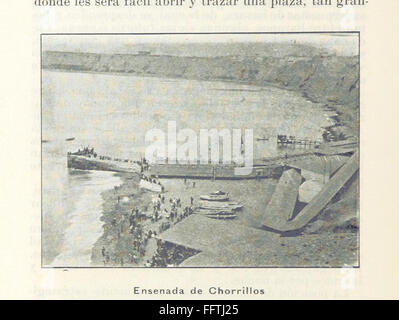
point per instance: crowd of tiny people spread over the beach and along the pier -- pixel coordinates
(132, 230)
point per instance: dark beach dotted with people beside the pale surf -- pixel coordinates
(128, 239)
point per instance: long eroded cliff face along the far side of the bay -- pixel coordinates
(329, 79)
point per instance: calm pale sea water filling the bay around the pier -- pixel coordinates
(112, 113)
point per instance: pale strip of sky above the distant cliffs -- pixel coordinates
(339, 43)
